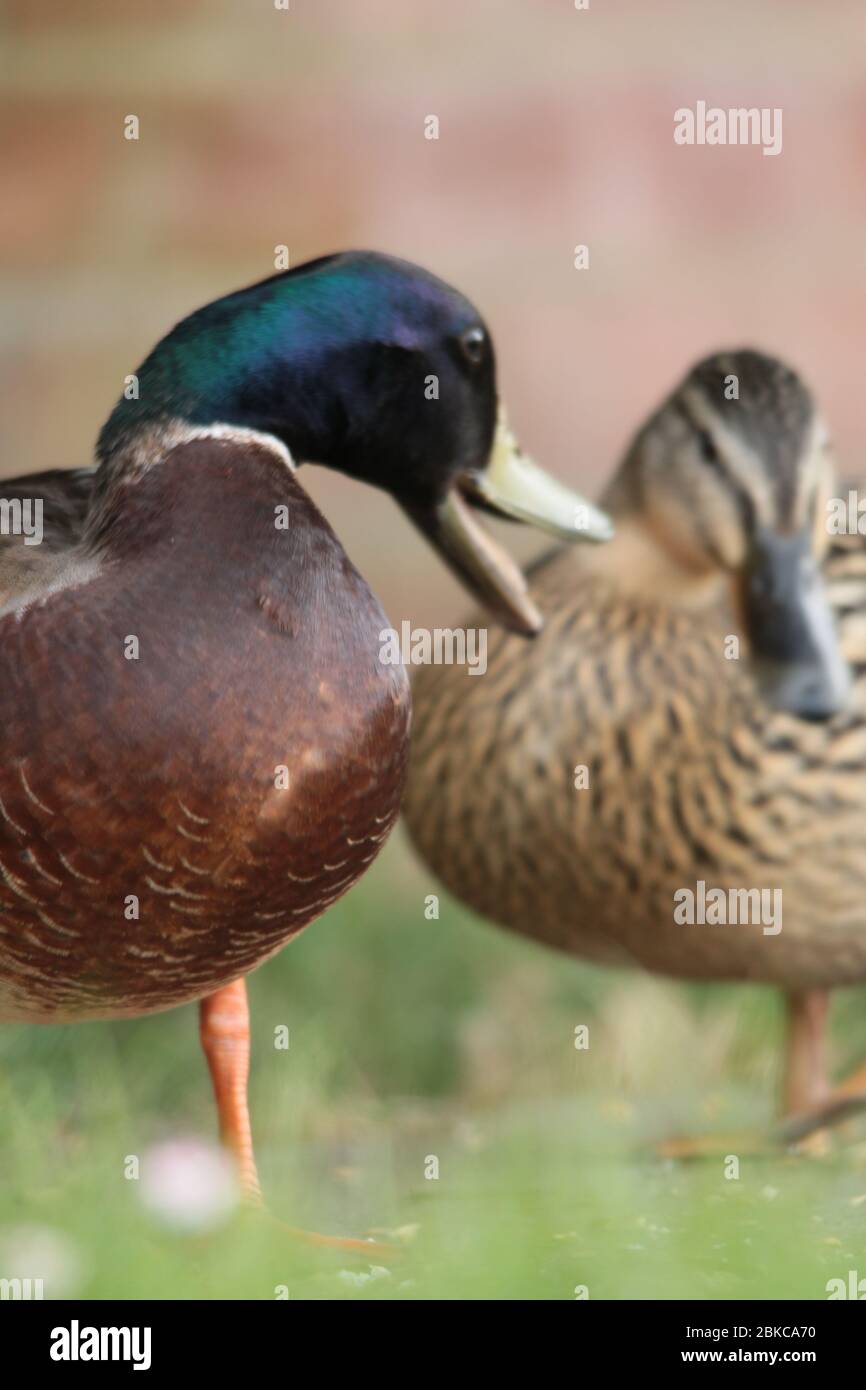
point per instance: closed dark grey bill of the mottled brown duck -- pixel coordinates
(797, 658)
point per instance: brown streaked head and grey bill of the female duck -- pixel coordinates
(732, 479)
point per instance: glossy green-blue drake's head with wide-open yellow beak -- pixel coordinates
(375, 368)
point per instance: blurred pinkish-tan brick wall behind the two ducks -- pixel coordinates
(261, 127)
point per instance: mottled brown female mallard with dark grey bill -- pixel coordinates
(621, 768)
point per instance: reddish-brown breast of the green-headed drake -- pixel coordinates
(199, 749)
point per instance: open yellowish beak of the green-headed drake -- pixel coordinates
(514, 487)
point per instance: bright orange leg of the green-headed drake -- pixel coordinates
(224, 1028)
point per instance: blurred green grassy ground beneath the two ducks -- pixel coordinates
(415, 1043)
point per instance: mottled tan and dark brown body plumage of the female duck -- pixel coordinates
(690, 776)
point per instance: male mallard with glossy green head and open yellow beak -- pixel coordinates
(199, 746)
